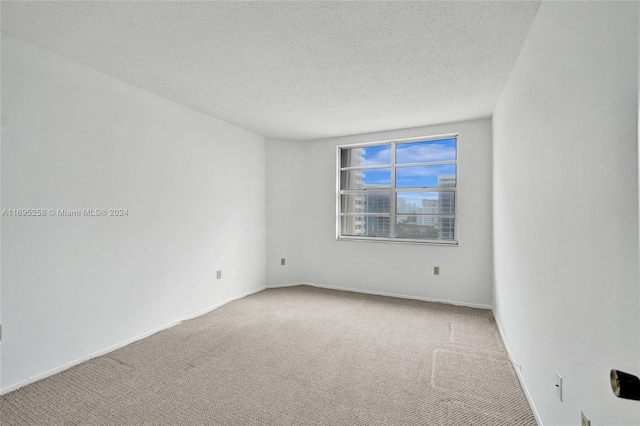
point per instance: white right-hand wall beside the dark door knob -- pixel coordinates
(566, 209)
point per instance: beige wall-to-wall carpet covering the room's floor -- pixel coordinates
(294, 356)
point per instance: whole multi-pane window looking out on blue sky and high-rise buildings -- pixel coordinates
(401, 191)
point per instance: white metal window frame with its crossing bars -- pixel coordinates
(393, 191)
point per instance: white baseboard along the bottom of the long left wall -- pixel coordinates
(119, 345)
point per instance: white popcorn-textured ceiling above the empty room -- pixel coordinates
(294, 70)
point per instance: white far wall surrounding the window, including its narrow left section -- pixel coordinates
(401, 269)
